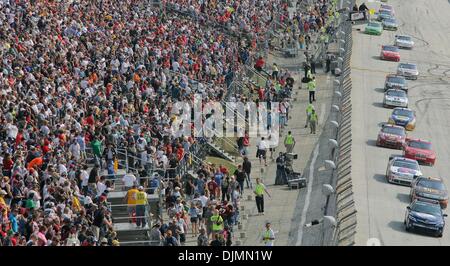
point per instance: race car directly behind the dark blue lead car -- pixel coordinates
(430, 188)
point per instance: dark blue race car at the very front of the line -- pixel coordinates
(425, 215)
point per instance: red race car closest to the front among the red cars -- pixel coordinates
(419, 150)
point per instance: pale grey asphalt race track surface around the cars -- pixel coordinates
(381, 206)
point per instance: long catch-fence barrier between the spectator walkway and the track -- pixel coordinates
(341, 204)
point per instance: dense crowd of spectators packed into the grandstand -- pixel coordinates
(84, 78)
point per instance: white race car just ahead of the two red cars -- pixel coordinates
(402, 171)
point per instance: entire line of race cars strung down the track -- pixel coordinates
(428, 195)
